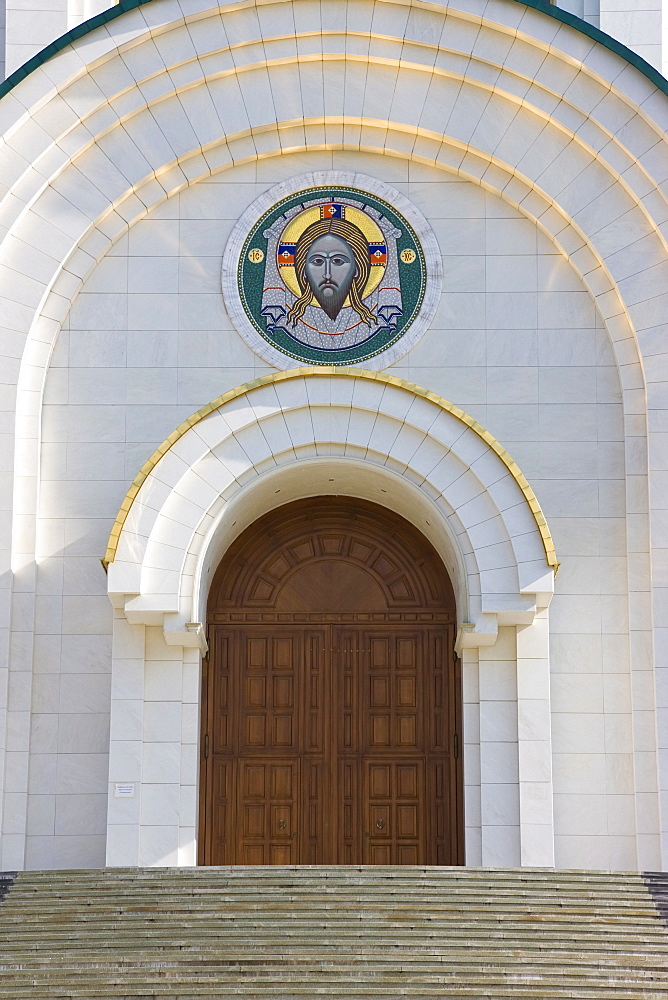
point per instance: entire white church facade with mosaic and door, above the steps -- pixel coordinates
(334, 437)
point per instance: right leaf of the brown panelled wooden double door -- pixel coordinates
(395, 708)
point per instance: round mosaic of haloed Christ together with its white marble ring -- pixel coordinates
(331, 269)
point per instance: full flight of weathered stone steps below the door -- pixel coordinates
(345, 932)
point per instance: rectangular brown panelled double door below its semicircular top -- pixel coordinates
(331, 744)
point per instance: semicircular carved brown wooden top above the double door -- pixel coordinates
(330, 556)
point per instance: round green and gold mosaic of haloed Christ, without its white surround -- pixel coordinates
(332, 275)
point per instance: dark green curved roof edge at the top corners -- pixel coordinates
(544, 7)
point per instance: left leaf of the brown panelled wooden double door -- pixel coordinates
(270, 731)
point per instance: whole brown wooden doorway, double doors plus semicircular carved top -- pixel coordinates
(331, 695)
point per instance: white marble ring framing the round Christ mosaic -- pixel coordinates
(325, 178)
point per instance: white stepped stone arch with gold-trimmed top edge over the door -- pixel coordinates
(230, 456)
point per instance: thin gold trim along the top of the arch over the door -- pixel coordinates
(361, 373)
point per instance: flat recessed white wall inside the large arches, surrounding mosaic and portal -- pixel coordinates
(517, 343)
